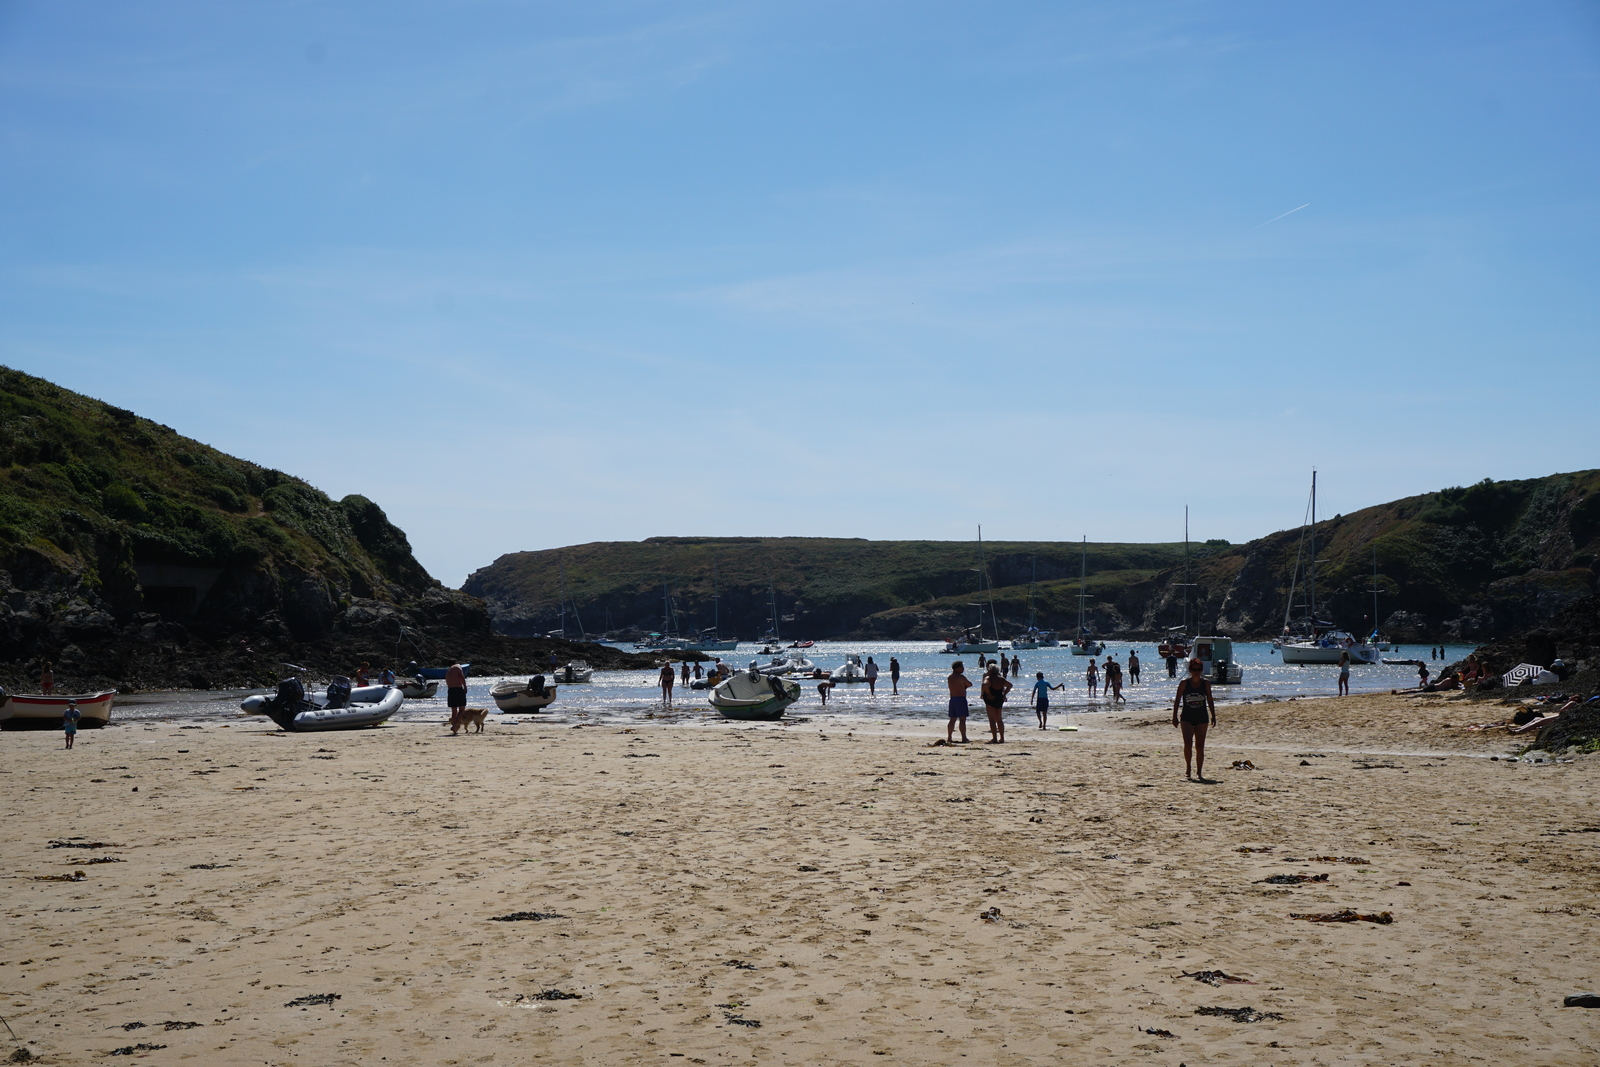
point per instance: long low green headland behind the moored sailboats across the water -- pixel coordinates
(1463, 564)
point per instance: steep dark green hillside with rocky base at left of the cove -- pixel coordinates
(135, 556)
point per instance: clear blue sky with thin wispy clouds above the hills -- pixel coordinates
(537, 274)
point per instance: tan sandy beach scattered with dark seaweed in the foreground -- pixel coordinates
(809, 893)
